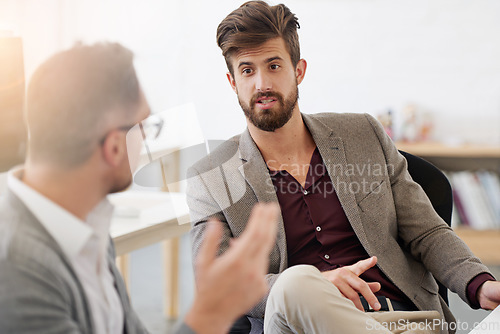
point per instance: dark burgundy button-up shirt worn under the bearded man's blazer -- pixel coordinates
(318, 232)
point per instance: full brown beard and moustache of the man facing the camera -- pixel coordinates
(273, 118)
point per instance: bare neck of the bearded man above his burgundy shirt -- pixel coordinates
(289, 144)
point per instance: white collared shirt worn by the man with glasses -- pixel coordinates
(85, 244)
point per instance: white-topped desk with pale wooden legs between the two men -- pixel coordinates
(145, 218)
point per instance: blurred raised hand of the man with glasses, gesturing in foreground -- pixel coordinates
(231, 284)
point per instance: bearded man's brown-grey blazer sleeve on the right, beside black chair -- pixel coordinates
(423, 233)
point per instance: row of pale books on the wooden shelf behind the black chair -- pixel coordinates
(476, 199)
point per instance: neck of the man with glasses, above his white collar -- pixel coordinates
(74, 190)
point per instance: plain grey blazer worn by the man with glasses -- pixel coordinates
(39, 290)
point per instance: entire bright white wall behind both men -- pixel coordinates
(363, 55)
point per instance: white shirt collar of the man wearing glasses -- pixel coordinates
(70, 232)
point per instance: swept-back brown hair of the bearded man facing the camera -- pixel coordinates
(253, 24)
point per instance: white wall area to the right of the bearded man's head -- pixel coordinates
(441, 55)
